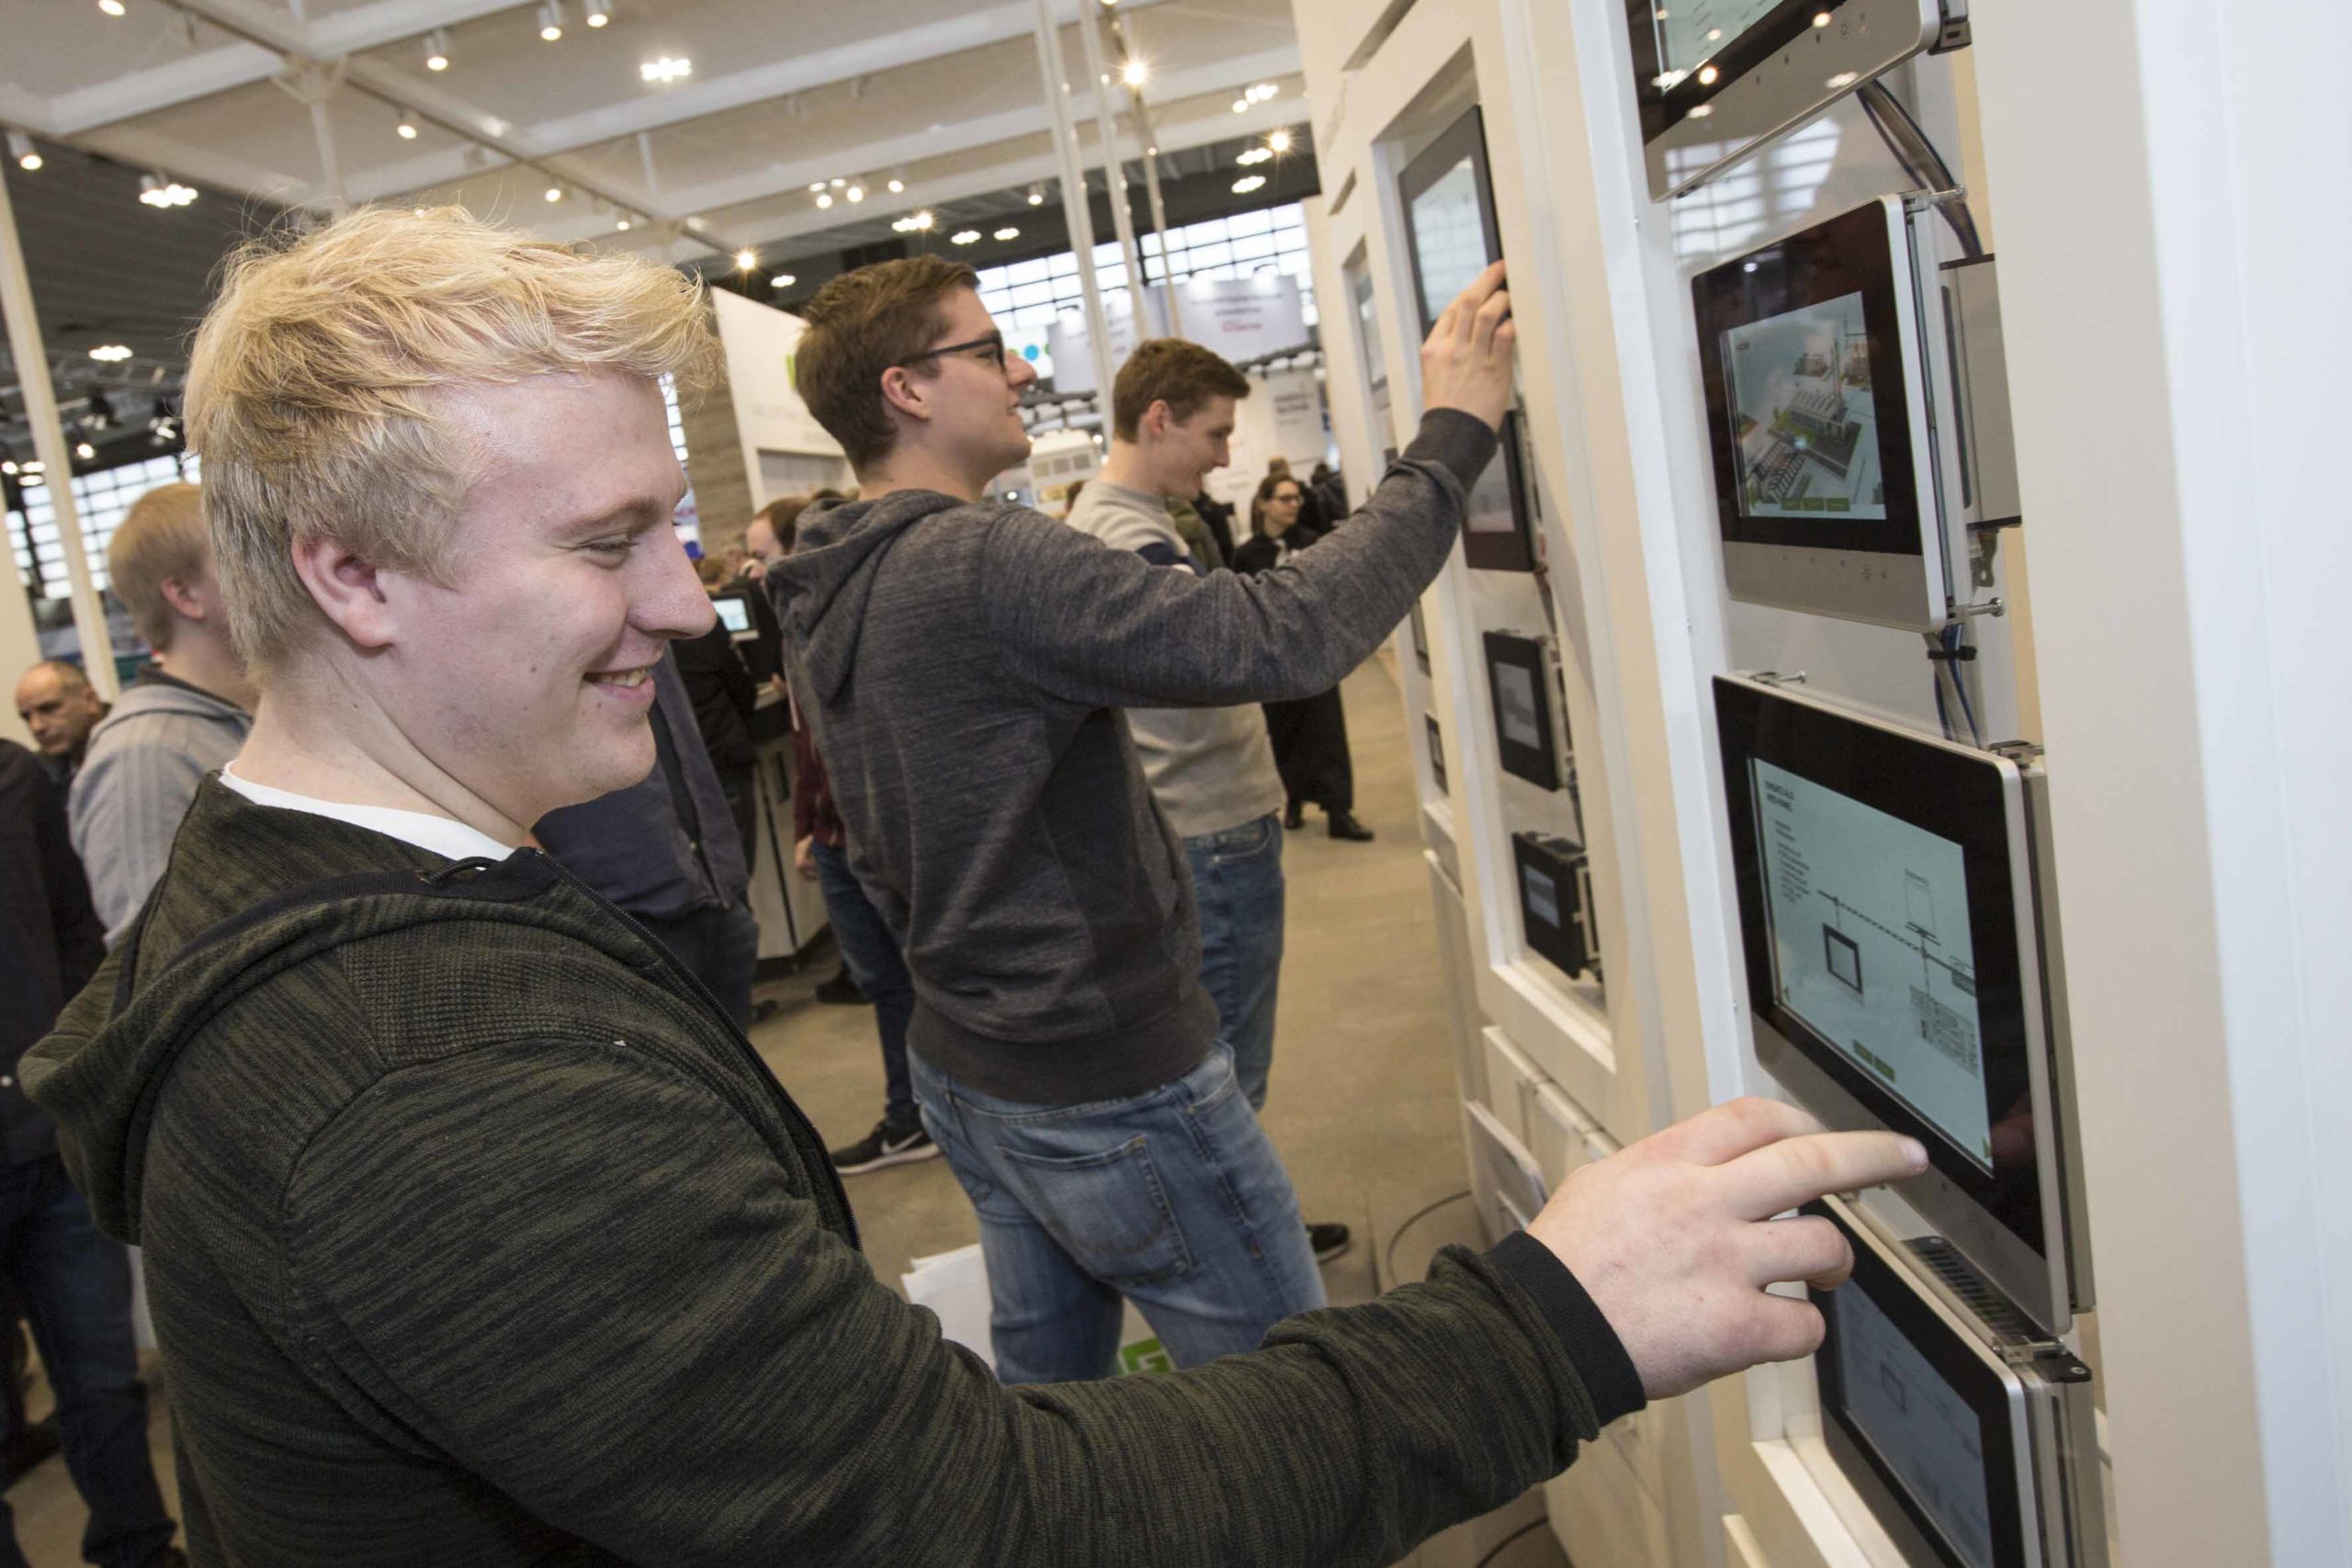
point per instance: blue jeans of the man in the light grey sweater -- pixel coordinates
(1238, 885)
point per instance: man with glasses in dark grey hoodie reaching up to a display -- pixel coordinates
(965, 669)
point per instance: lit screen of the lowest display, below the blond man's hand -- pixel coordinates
(1925, 1433)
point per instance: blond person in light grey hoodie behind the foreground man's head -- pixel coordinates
(185, 716)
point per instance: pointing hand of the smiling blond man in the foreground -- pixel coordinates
(1676, 1238)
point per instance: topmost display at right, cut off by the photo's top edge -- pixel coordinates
(1716, 79)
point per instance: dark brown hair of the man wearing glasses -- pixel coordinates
(862, 326)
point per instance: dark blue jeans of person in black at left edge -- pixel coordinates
(76, 1292)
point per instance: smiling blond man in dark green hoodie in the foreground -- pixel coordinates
(476, 1235)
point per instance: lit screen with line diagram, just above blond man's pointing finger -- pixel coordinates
(1871, 949)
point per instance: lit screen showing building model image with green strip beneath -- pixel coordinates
(1803, 422)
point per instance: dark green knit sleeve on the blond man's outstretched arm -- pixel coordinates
(693, 1372)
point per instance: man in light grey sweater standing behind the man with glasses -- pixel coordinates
(1212, 770)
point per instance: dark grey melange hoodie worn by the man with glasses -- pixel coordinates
(965, 669)
